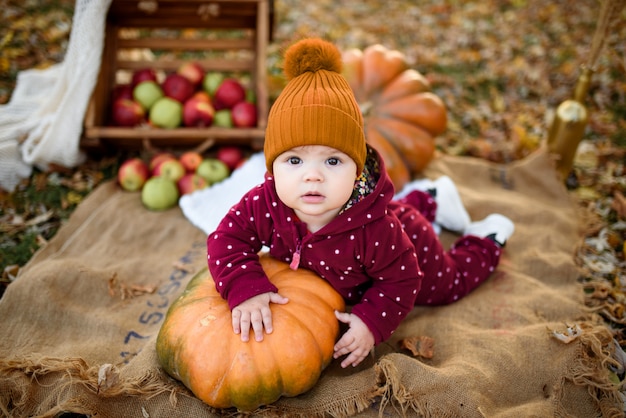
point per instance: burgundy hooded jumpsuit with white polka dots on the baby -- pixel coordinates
(381, 255)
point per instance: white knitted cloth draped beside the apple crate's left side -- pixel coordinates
(43, 121)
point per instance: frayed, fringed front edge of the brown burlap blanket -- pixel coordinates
(590, 369)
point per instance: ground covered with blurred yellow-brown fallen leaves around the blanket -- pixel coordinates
(501, 67)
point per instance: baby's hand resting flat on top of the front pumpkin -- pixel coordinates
(255, 312)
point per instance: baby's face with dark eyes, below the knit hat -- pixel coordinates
(315, 181)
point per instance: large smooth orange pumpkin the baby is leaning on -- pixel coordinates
(197, 346)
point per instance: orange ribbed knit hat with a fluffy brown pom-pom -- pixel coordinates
(316, 107)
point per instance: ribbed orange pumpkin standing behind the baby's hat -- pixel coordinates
(402, 117)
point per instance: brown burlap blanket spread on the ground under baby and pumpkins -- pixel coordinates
(79, 325)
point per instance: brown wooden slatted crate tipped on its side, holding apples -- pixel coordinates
(233, 38)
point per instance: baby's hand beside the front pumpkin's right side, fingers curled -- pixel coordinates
(358, 340)
